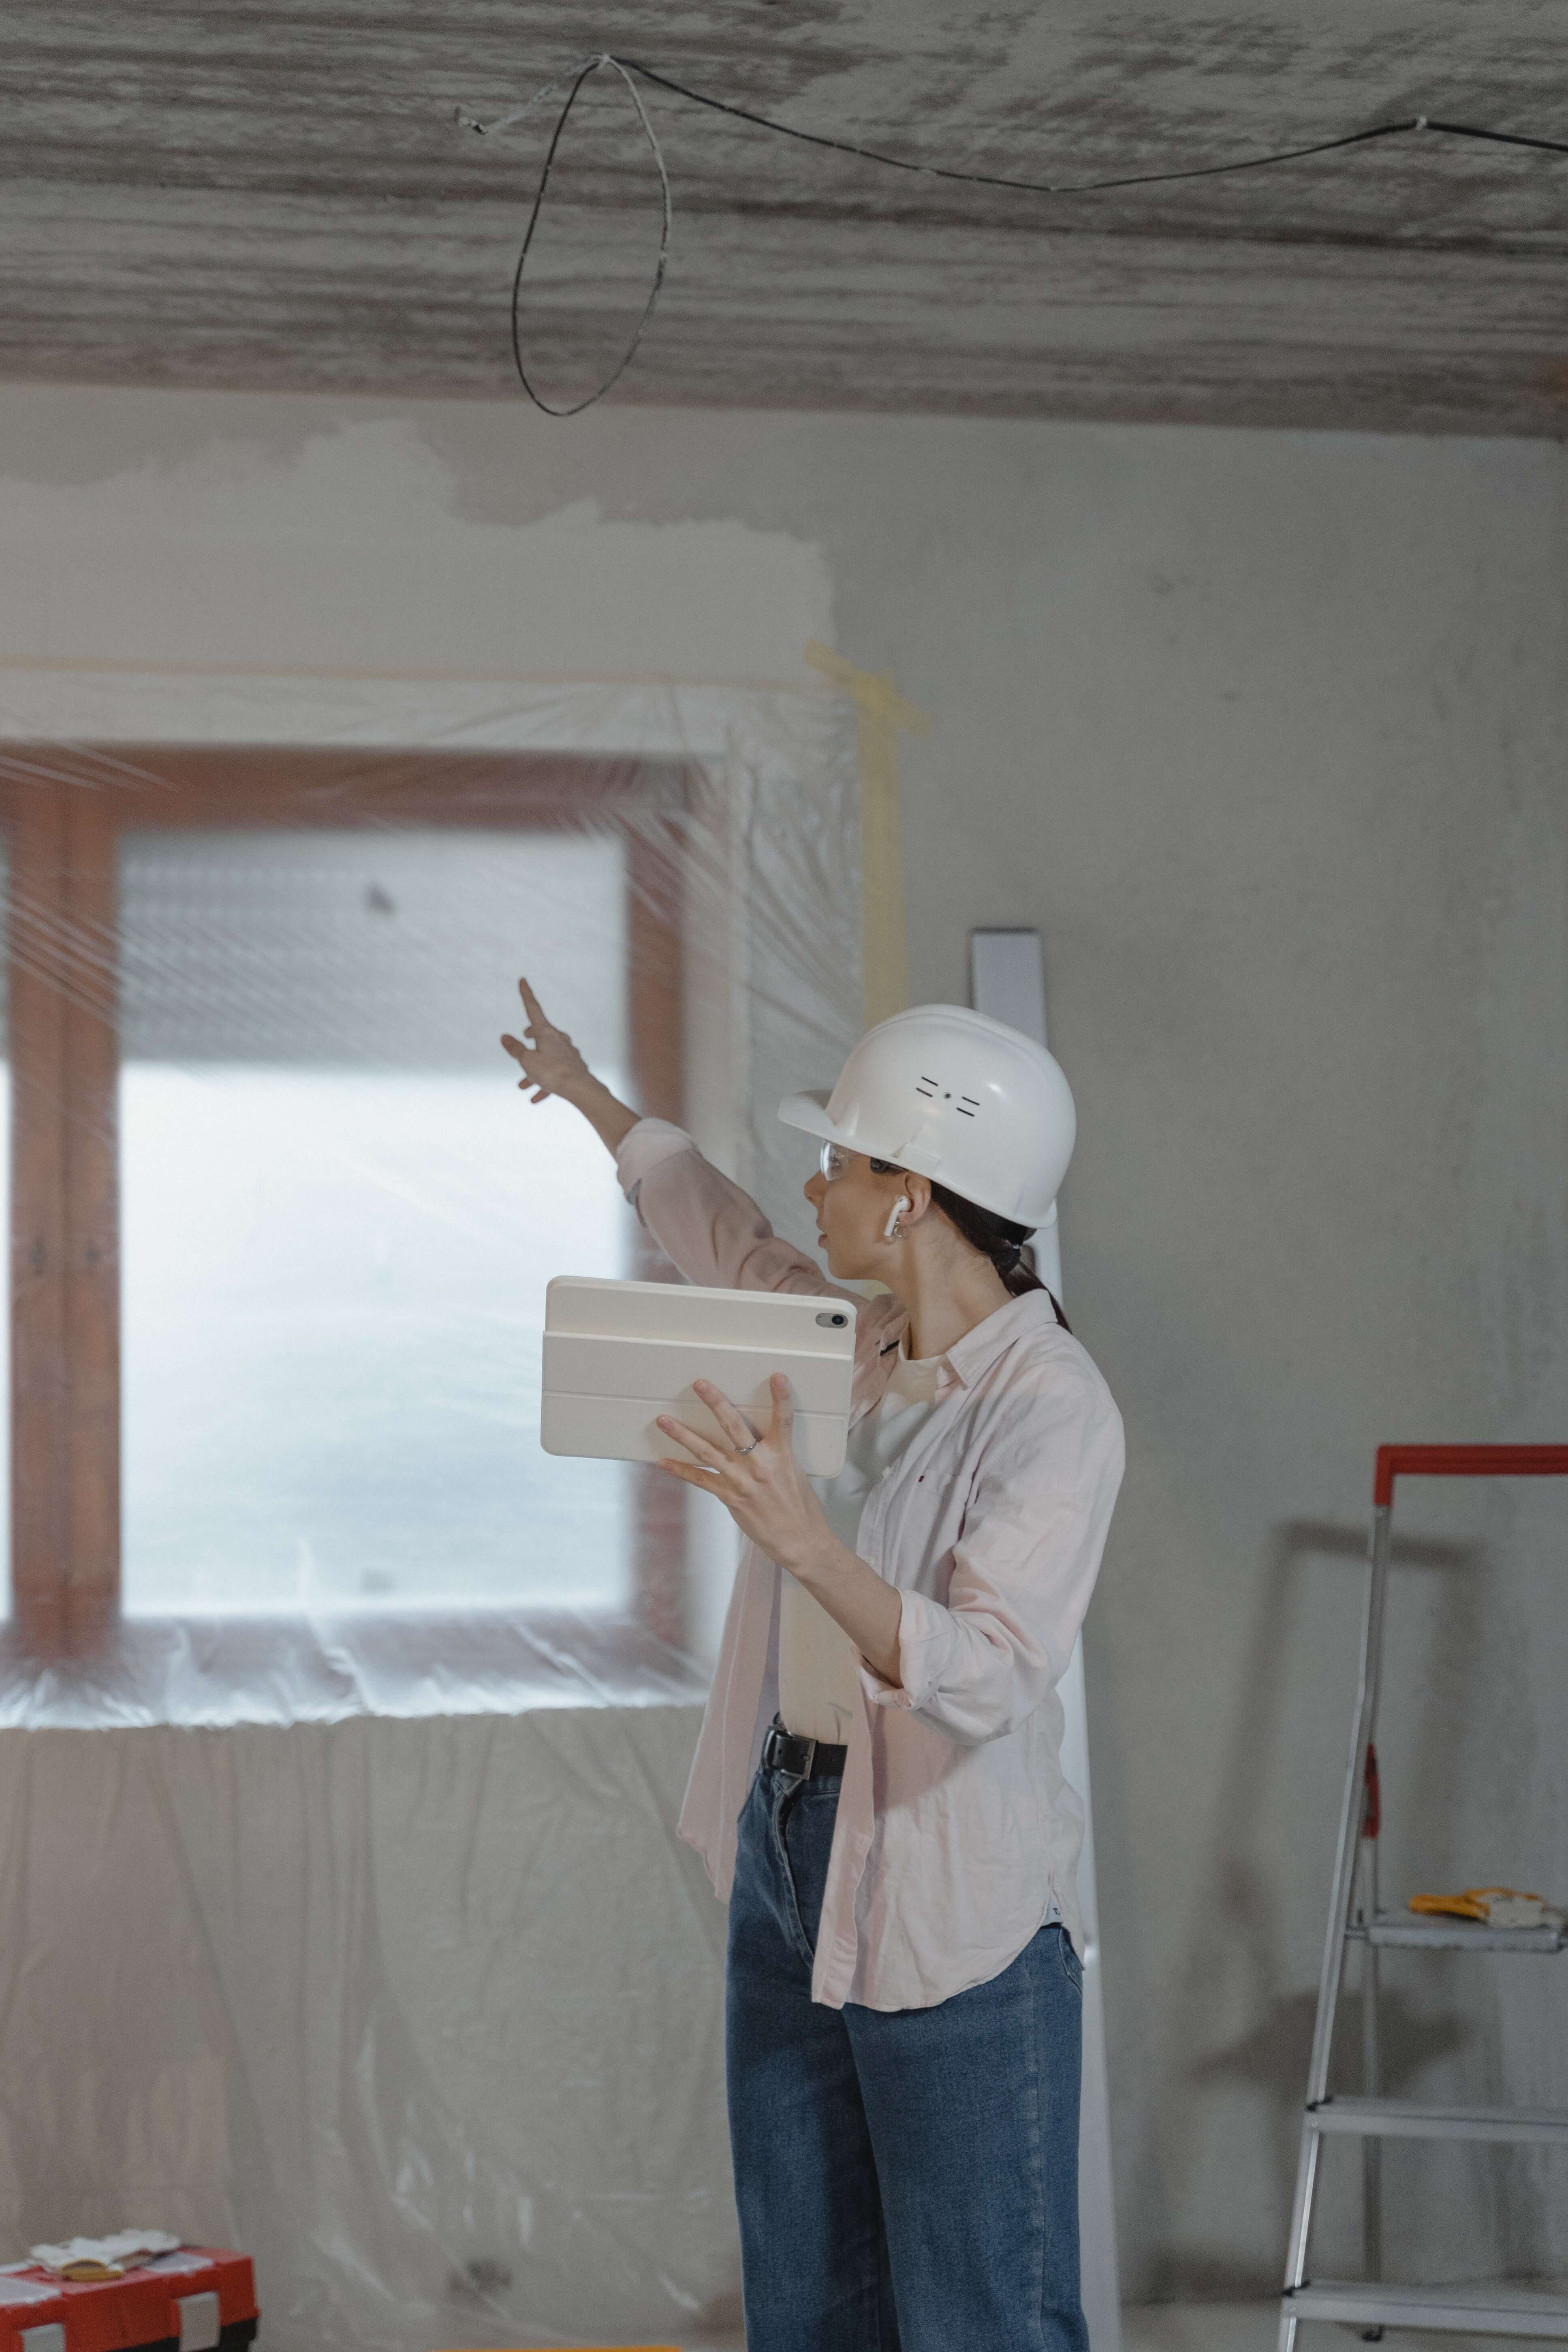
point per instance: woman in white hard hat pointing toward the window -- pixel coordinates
(878, 1786)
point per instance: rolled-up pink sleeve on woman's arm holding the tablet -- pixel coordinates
(1024, 1568)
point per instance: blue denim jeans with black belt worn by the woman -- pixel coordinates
(909, 2181)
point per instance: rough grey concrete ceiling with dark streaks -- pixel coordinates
(232, 194)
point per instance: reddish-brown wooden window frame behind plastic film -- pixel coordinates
(65, 815)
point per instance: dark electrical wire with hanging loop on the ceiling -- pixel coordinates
(626, 67)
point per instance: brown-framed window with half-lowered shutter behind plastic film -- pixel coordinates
(283, 1222)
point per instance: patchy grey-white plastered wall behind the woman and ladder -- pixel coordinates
(1266, 733)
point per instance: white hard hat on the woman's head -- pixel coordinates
(956, 1097)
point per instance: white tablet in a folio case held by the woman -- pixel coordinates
(622, 1354)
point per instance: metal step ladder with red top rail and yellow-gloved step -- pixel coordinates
(1369, 2304)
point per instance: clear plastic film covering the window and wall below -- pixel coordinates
(347, 1728)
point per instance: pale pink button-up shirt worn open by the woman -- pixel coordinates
(956, 1826)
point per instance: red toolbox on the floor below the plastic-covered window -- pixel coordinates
(194, 2301)
